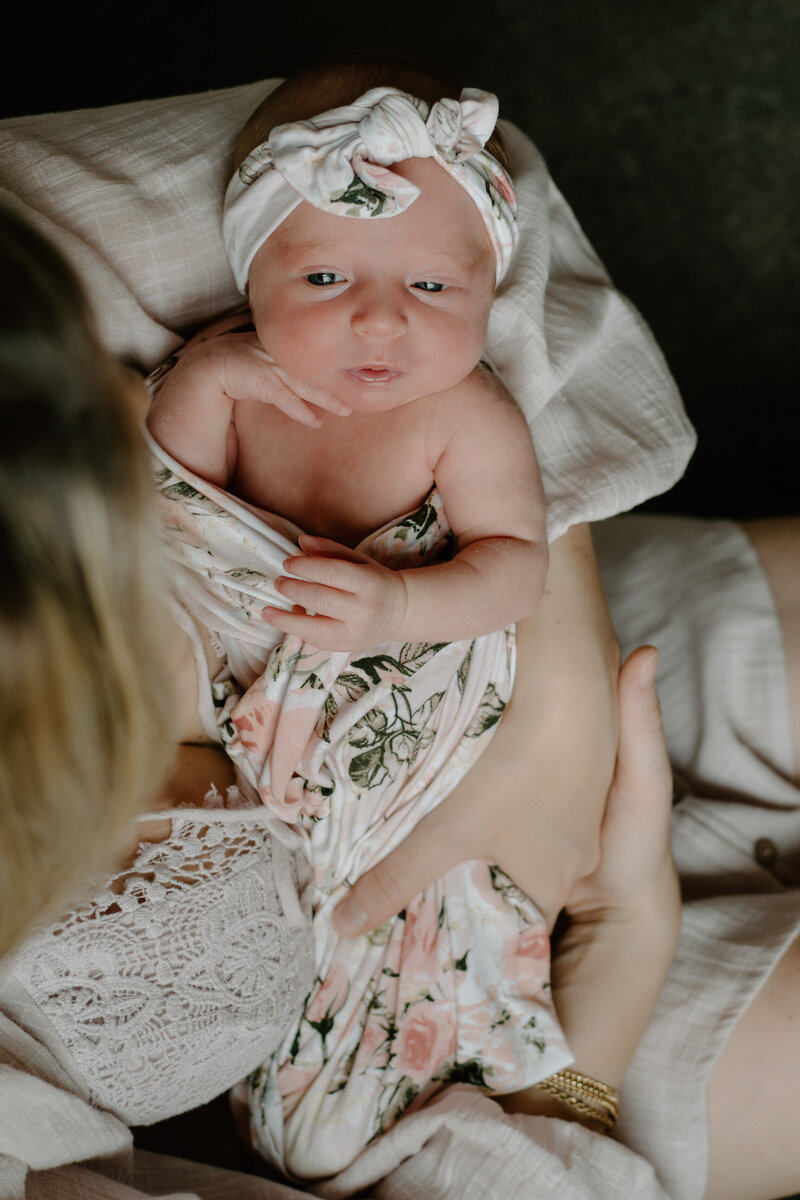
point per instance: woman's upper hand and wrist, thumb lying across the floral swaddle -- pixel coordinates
(534, 801)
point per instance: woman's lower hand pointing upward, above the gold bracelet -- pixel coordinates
(623, 921)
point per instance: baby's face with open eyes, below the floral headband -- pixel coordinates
(378, 311)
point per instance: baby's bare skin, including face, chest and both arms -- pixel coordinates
(386, 321)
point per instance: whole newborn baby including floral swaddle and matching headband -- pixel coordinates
(370, 241)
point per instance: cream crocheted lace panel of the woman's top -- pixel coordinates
(182, 974)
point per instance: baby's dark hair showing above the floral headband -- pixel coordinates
(340, 81)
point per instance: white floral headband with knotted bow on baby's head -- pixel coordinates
(340, 163)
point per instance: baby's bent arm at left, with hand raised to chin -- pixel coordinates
(193, 412)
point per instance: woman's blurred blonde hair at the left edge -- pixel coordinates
(85, 706)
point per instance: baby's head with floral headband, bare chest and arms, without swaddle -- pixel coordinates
(371, 242)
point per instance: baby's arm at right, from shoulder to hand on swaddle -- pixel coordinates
(483, 459)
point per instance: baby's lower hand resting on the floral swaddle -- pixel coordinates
(357, 602)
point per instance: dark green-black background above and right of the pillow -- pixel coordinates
(672, 128)
